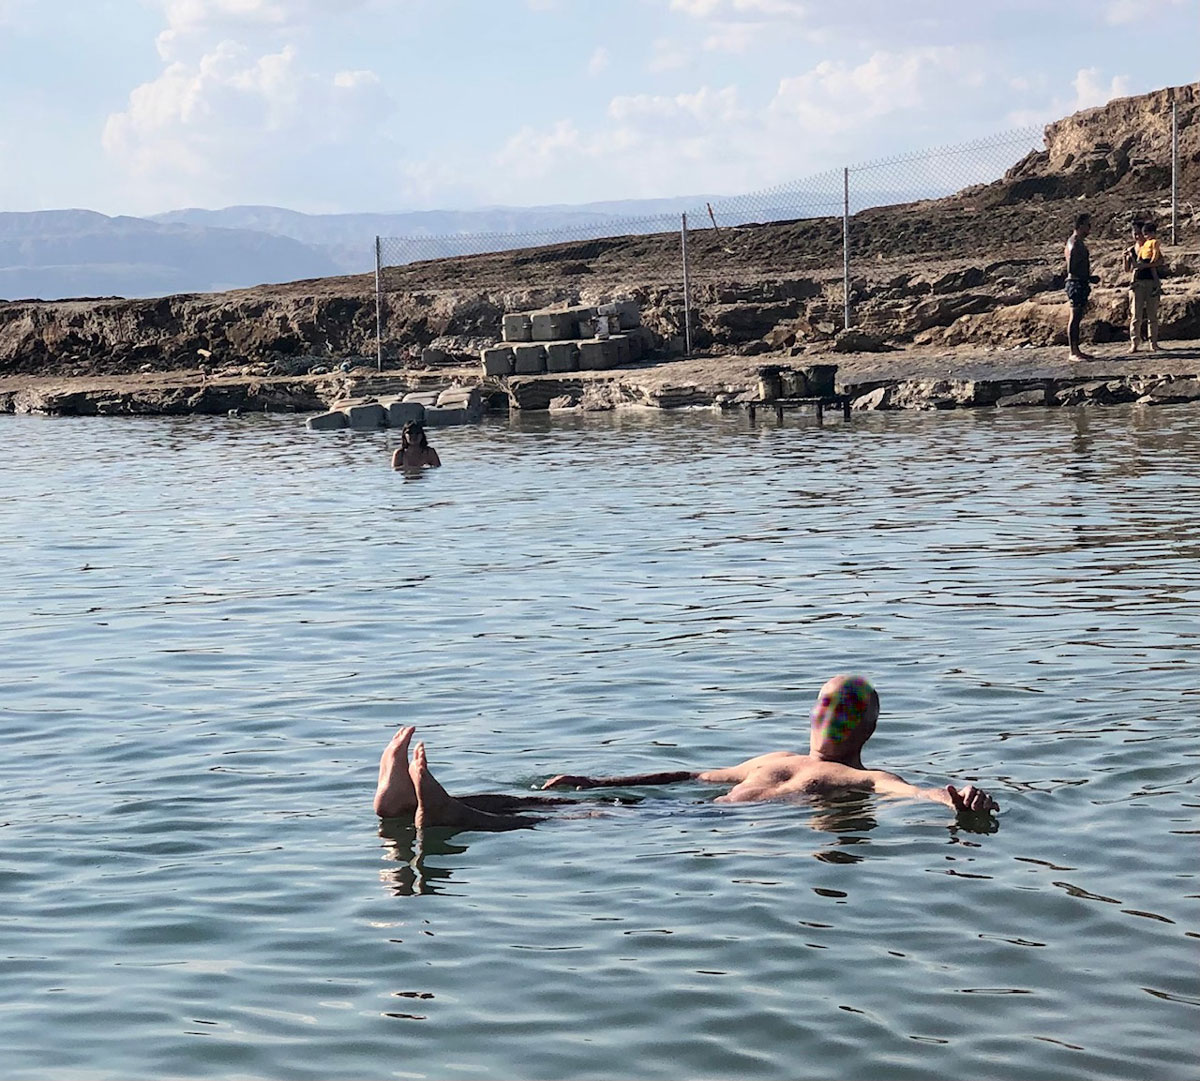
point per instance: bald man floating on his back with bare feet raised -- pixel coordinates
(843, 720)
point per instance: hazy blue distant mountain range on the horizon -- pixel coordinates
(63, 254)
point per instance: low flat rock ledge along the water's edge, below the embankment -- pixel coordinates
(899, 380)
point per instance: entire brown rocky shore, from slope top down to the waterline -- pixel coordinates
(957, 303)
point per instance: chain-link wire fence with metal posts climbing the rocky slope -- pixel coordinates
(725, 271)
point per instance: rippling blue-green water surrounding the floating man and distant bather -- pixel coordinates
(211, 629)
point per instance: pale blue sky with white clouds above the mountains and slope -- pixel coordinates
(346, 106)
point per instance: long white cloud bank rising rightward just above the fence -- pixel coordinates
(835, 113)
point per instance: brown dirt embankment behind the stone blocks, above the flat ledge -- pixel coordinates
(974, 273)
